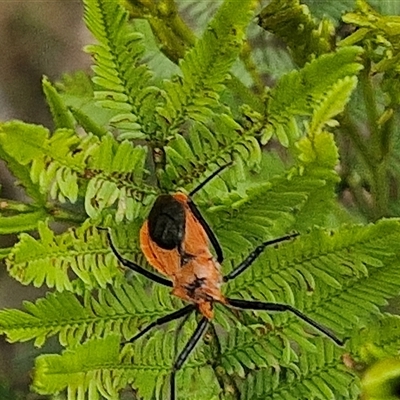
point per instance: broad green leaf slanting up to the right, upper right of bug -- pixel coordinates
(309, 90)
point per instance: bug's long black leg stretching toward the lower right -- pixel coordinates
(258, 305)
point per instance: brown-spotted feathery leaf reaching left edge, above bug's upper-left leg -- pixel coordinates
(64, 162)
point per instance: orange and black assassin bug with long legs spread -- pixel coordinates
(174, 240)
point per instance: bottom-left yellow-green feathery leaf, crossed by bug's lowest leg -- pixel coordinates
(96, 369)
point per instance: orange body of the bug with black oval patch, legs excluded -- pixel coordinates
(176, 244)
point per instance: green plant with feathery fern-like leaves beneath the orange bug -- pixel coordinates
(128, 135)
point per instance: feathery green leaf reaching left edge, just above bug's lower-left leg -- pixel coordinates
(121, 309)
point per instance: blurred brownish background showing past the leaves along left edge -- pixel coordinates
(36, 38)
